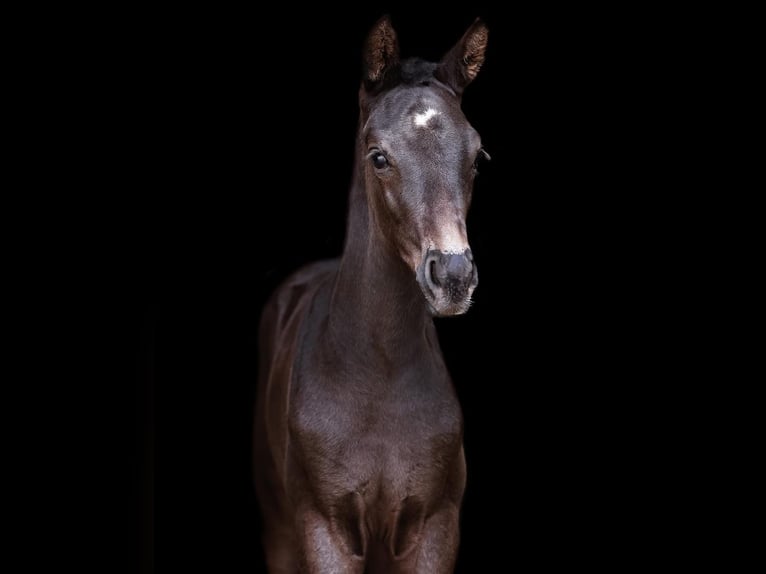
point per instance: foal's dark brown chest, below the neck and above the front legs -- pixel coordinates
(404, 442)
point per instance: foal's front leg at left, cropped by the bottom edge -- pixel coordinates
(322, 551)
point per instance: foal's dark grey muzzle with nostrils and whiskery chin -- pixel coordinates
(447, 281)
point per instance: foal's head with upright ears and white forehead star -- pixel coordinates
(421, 156)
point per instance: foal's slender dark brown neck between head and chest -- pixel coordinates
(377, 307)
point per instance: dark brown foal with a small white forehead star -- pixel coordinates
(359, 462)
